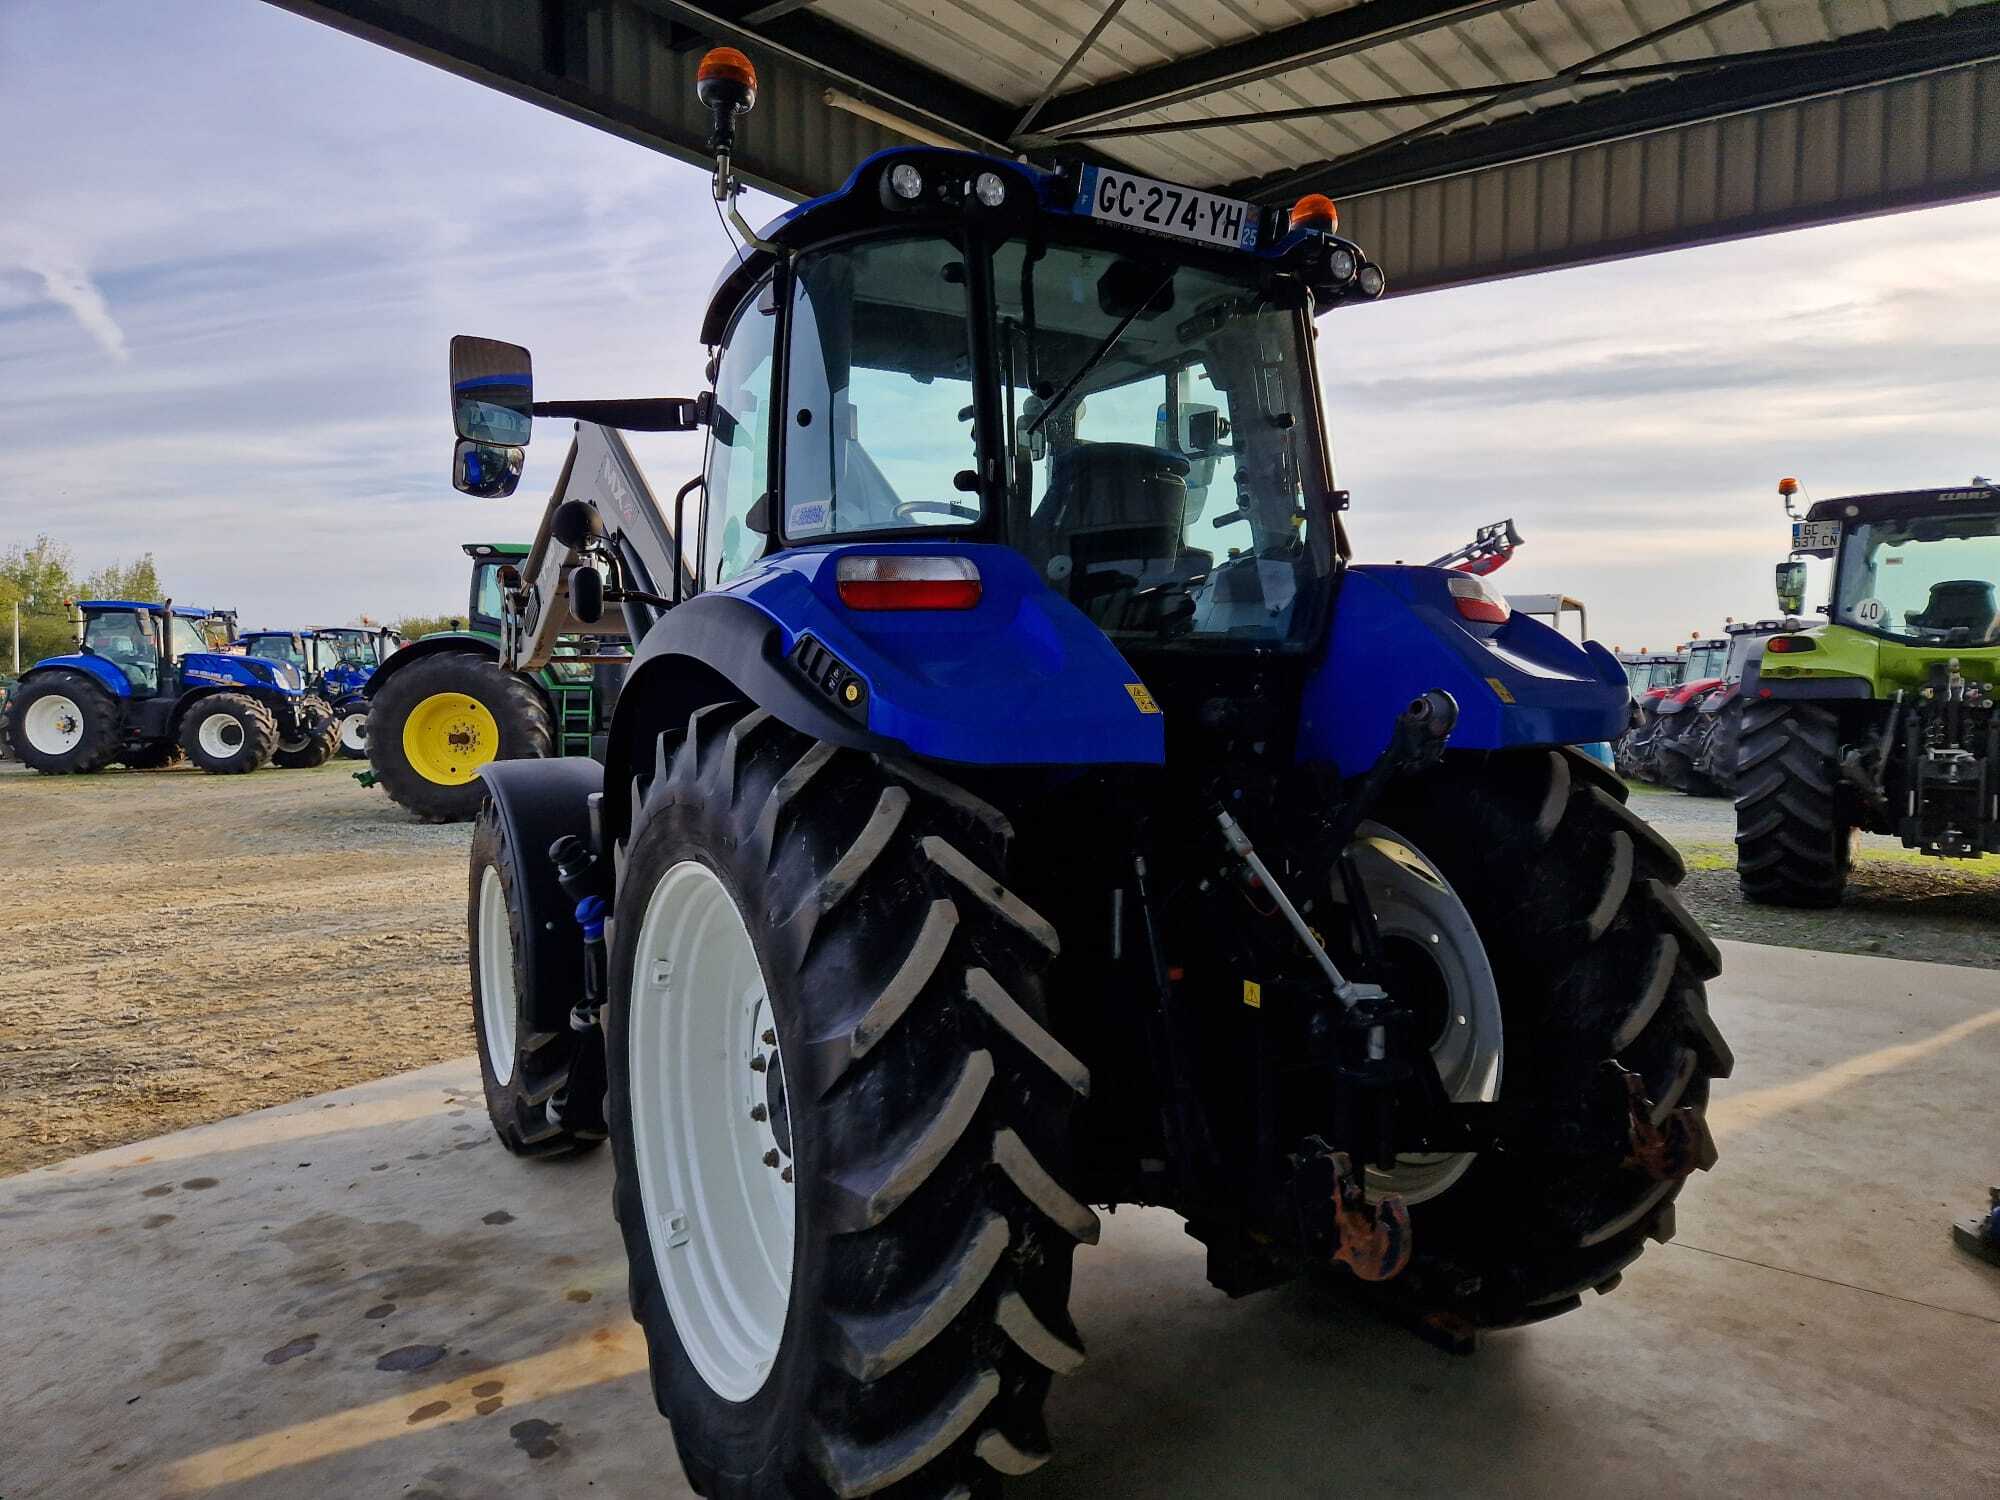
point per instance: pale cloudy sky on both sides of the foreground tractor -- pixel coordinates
(233, 247)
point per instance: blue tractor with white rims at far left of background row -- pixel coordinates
(147, 689)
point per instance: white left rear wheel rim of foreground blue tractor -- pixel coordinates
(721, 1219)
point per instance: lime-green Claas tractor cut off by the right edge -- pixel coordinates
(1885, 717)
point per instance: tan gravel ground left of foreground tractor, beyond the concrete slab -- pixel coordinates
(179, 949)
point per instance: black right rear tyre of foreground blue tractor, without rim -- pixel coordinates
(1595, 961)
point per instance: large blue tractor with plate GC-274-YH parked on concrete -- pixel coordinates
(1019, 801)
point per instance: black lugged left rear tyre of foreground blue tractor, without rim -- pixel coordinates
(929, 1115)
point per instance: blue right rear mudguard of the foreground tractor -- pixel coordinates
(1399, 635)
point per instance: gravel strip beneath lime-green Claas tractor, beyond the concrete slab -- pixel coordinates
(1899, 903)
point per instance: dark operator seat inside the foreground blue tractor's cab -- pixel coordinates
(1111, 521)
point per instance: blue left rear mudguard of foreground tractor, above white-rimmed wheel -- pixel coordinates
(1023, 679)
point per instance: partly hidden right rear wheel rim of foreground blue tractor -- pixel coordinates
(1415, 905)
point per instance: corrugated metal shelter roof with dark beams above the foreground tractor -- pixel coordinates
(1561, 129)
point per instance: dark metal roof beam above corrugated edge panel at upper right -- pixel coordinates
(1805, 73)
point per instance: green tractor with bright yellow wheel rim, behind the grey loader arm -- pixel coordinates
(449, 703)
